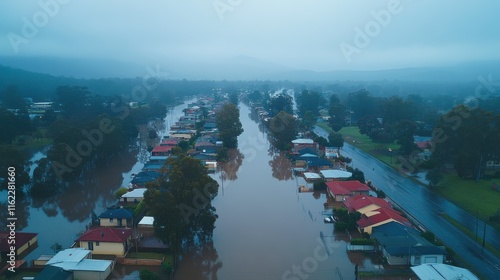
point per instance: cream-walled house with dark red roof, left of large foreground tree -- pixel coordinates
(106, 241)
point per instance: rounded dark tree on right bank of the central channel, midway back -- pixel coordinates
(283, 130)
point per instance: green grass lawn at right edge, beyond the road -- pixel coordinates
(470, 195)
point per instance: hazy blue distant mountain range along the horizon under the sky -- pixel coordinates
(246, 68)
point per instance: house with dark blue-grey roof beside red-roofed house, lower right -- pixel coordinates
(402, 245)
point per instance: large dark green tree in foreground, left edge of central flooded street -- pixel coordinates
(182, 206)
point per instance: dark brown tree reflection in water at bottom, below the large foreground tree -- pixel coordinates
(200, 263)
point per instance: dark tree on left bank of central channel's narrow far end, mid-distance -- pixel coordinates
(229, 125)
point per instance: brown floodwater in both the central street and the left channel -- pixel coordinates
(265, 229)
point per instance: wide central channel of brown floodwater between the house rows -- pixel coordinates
(266, 229)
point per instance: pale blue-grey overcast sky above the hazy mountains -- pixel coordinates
(302, 34)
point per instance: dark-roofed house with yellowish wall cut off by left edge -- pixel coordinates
(25, 242)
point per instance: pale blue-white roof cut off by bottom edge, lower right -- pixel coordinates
(439, 271)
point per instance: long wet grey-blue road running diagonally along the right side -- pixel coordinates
(425, 206)
